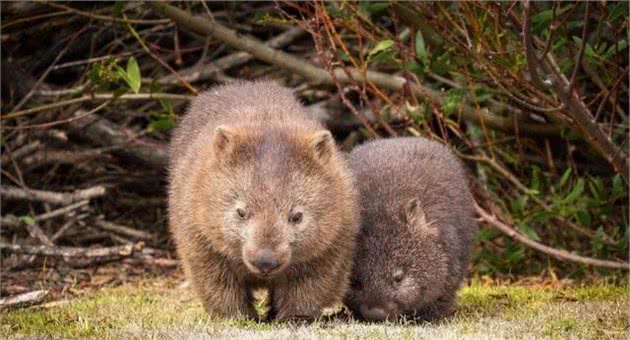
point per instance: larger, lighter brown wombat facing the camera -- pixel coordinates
(260, 197)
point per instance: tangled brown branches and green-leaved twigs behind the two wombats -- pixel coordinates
(533, 96)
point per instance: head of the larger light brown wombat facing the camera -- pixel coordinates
(275, 192)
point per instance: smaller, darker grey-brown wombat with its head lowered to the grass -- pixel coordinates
(417, 229)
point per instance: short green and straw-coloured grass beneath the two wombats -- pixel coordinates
(159, 309)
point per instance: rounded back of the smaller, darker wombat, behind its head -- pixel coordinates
(390, 172)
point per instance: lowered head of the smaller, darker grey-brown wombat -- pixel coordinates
(398, 265)
